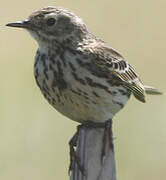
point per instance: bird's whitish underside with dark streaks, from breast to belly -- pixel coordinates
(80, 96)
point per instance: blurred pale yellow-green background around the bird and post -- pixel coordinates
(34, 137)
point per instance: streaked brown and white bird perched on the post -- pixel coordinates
(80, 75)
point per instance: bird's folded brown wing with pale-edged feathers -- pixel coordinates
(113, 62)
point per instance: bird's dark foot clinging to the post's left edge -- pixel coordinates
(73, 156)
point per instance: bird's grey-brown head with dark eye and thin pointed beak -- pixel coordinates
(54, 24)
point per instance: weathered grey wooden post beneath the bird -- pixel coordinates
(89, 150)
